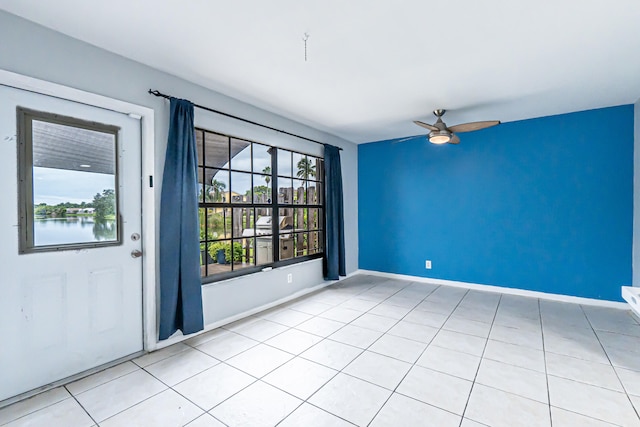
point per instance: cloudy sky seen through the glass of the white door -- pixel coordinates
(53, 186)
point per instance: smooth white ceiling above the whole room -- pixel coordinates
(373, 65)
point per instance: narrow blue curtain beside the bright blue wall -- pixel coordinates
(333, 261)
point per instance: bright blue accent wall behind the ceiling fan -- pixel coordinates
(543, 204)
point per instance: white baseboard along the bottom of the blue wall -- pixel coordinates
(502, 290)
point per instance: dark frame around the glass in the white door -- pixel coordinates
(26, 224)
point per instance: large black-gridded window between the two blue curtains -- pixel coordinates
(259, 205)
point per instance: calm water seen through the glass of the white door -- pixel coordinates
(62, 231)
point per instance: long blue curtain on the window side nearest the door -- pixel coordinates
(180, 283)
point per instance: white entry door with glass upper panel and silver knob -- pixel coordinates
(72, 300)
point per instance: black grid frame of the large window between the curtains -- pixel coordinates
(275, 206)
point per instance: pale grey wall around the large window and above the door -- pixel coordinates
(35, 51)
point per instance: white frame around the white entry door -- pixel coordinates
(146, 117)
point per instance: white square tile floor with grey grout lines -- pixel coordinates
(376, 352)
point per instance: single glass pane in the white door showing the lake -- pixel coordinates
(74, 191)
